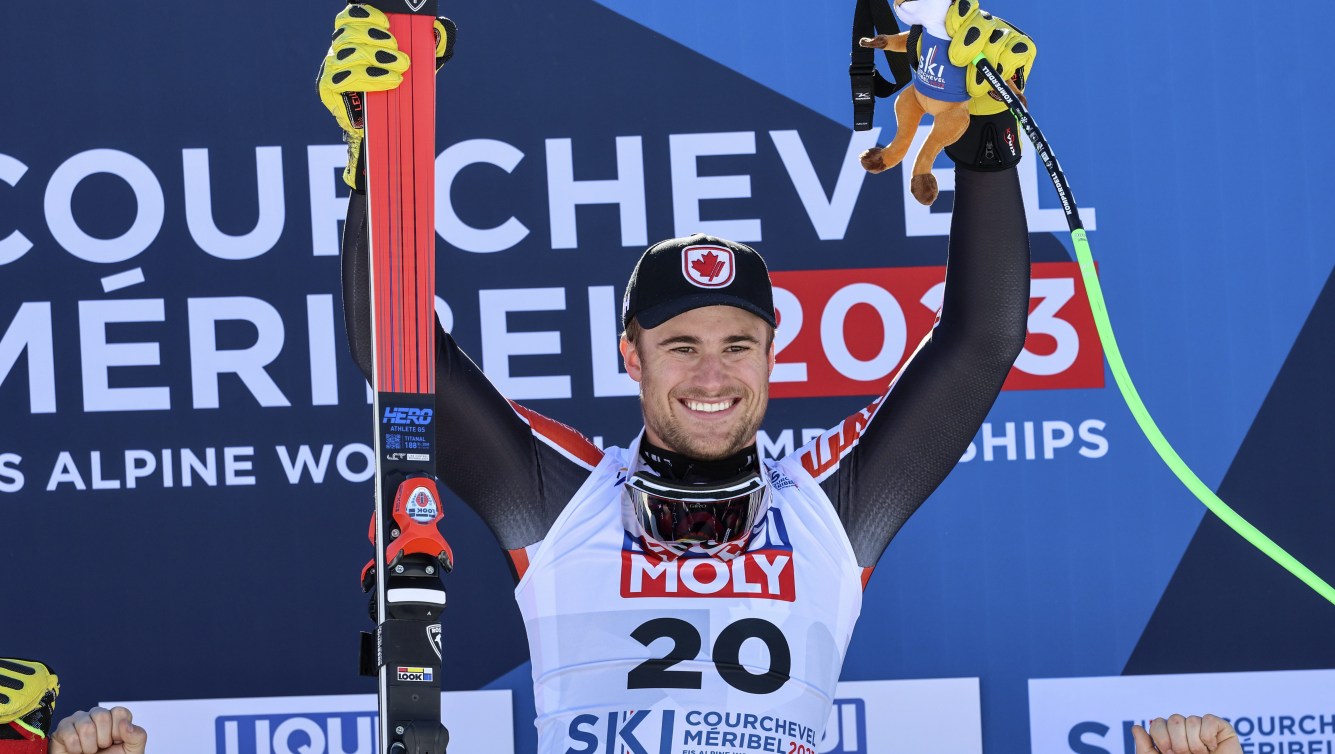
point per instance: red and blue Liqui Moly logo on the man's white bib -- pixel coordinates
(764, 572)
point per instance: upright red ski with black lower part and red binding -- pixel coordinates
(411, 554)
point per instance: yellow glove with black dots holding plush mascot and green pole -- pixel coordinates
(1007, 49)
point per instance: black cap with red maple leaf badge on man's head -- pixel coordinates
(678, 276)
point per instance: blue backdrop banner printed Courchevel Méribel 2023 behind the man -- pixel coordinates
(185, 462)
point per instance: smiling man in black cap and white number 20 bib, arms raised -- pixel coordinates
(686, 593)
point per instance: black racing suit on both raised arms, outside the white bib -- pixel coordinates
(519, 469)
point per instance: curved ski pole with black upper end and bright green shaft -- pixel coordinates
(1119, 369)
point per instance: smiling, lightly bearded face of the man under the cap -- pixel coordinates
(704, 380)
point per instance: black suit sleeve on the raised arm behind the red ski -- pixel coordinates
(515, 468)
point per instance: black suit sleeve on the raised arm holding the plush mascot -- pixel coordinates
(916, 433)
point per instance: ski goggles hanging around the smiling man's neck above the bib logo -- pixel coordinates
(696, 516)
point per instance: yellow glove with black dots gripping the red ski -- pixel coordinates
(364, 57)
